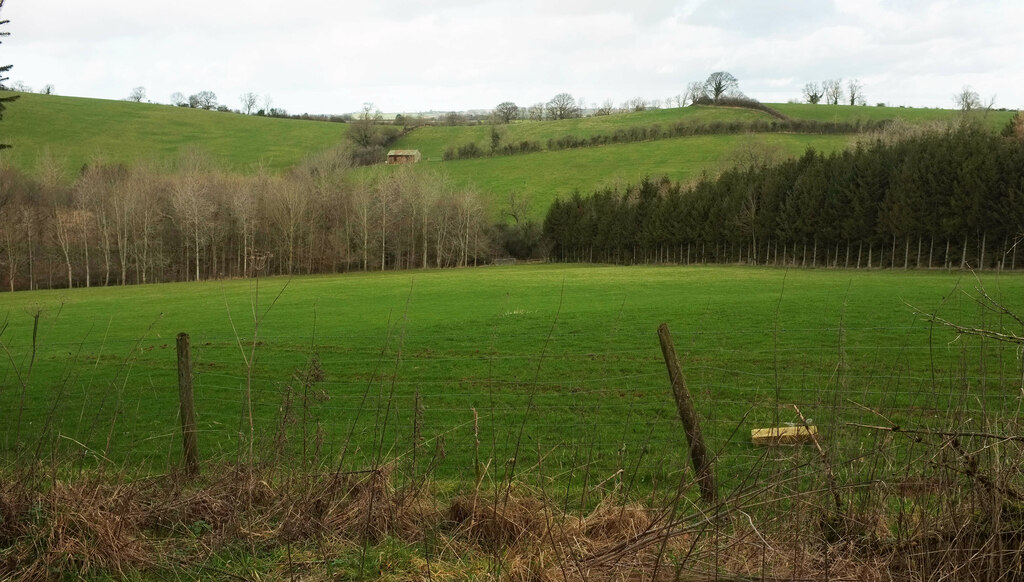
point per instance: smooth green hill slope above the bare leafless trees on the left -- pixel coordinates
(75, 132)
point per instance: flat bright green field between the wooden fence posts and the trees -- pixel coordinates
(554, 363)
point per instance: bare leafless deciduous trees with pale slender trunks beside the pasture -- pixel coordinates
(118, 225)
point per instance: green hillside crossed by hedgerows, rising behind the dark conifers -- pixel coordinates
(547, 176)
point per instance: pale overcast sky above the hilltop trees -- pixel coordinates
(320, 57)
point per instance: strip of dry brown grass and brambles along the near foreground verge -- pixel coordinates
(962, 524)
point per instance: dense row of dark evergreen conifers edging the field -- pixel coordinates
(954, 198)
